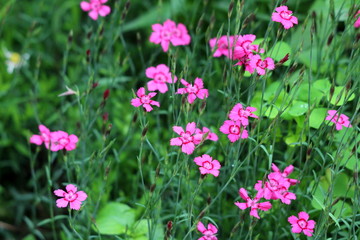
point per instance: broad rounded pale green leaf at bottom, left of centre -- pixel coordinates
(114, 218)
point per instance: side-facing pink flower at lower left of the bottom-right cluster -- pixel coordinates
(252, 203)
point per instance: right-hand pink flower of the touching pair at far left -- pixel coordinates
(62, 140)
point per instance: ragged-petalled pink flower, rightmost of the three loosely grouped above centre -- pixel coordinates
(195, 91)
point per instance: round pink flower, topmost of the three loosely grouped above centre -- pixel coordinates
(160, 75)
